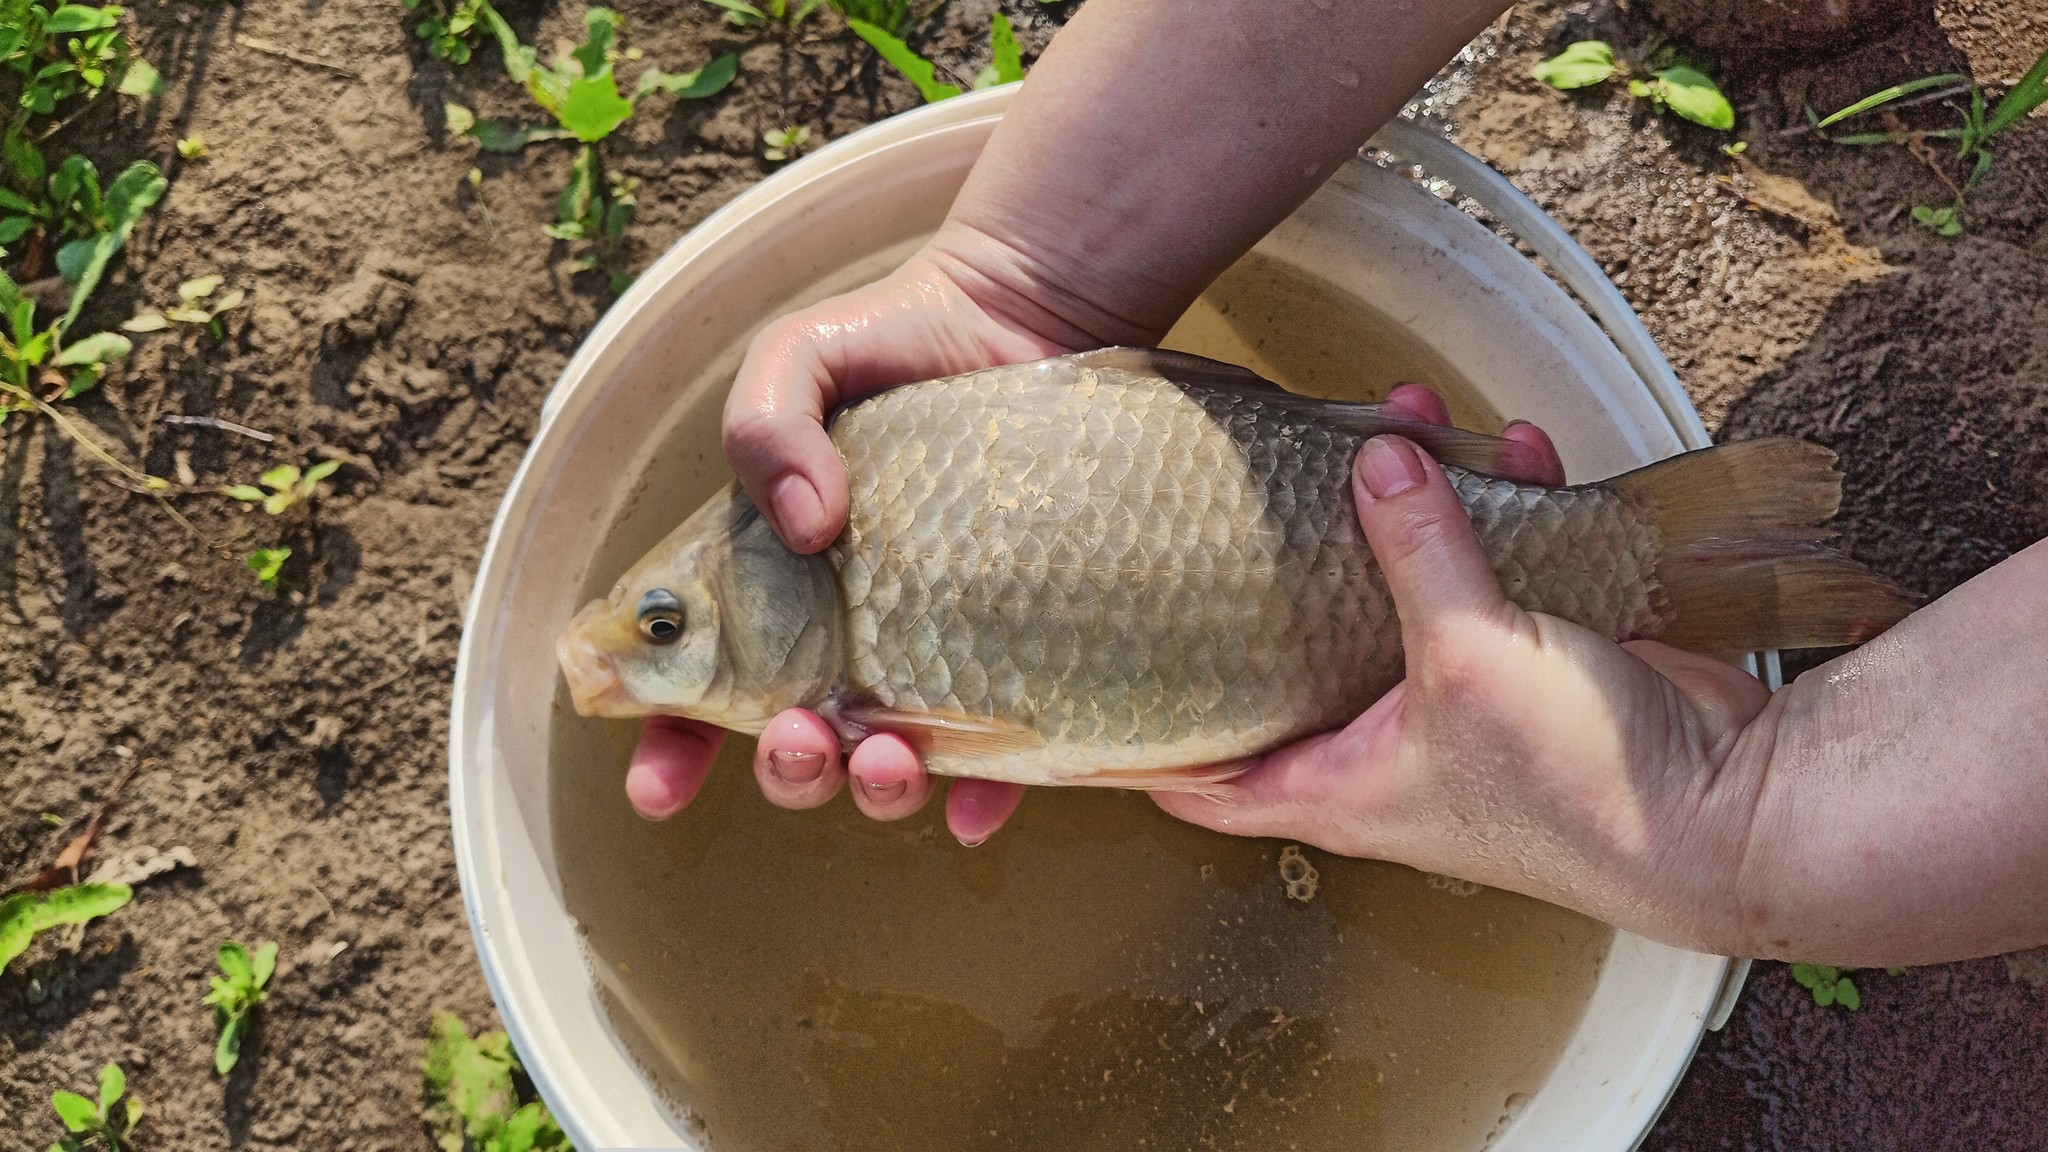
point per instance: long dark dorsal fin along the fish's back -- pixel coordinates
(1474, 452)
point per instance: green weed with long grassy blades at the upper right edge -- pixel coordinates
(1981, 122)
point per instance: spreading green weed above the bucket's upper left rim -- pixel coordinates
(581, 91)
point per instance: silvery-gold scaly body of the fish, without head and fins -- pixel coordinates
(1154, 573)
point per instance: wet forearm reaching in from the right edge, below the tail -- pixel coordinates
(1904, 803)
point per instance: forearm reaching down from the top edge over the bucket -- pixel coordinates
(1158, 140)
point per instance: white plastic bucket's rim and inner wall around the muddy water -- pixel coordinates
(841, 218)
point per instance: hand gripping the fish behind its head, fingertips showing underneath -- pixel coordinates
(962, 304)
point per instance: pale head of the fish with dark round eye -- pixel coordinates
(720, 622)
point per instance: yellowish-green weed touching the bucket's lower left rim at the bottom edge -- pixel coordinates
(470, 1096)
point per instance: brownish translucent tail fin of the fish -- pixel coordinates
(1744, 561)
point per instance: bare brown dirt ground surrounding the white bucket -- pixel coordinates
(398, 321)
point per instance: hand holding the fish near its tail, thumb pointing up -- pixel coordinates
(1521, 751)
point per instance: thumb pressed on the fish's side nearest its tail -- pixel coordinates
(1422, 540)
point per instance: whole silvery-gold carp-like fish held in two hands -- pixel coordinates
(1140, 569)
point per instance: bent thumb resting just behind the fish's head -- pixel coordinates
(775, 436)
